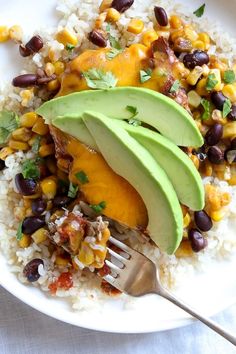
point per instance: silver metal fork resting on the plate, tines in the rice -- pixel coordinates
(136, 275)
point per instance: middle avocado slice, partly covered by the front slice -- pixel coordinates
(178, 166)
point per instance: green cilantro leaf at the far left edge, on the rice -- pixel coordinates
(9, 121)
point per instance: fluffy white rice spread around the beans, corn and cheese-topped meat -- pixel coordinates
(80, 16)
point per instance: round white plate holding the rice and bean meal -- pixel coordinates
(210, 292)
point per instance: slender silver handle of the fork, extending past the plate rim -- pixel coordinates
(213, 325)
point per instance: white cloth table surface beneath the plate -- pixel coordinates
(26, 331)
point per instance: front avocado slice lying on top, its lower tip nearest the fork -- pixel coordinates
(134, 163)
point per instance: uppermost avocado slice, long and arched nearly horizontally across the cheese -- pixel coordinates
(153, 108)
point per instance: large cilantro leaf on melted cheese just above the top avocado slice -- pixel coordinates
(98, 79)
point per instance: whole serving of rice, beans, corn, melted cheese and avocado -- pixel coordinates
(121, 123)
